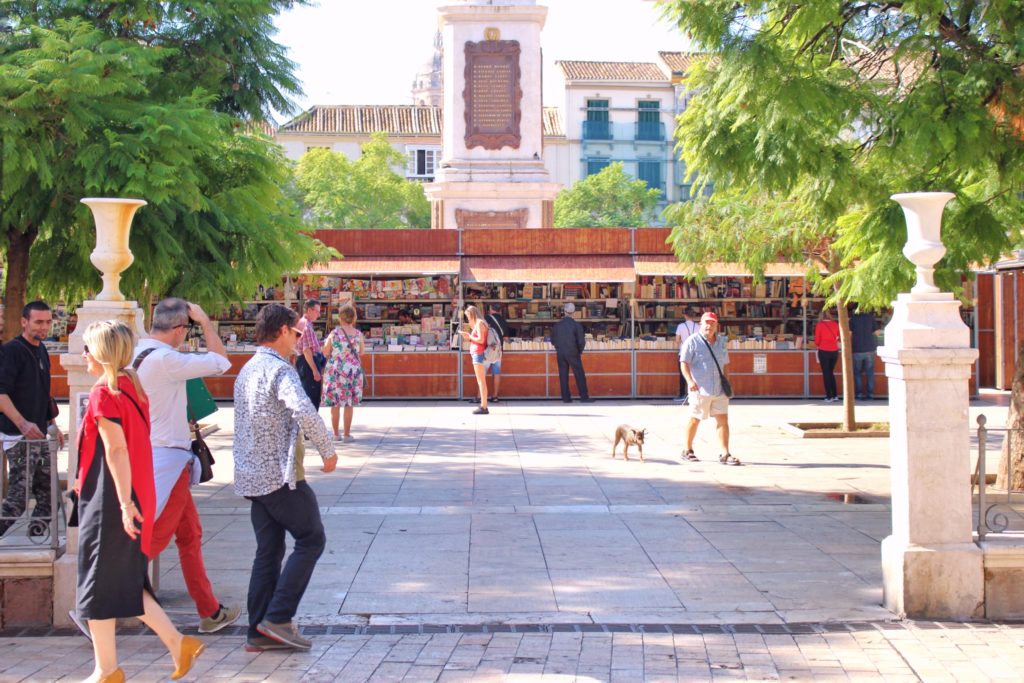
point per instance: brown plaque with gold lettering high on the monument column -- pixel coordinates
(493, 95)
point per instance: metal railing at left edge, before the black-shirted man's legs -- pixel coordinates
(29, 473)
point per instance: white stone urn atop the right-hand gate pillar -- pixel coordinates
(924, 245)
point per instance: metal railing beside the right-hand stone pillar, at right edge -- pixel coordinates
(999, 515)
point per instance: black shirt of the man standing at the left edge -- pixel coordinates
(25, 377)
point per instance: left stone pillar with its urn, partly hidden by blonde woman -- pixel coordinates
(112, 258)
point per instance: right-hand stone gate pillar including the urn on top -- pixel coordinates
(931, 567)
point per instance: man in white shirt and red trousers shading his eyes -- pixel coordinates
(164, 371)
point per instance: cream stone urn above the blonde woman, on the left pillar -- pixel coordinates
(112, 255)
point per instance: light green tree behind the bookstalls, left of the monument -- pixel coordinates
(365, 193)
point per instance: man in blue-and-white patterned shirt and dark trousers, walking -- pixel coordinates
(272, 414)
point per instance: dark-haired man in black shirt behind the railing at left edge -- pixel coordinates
(27, 411)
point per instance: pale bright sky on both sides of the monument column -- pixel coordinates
(368, 52)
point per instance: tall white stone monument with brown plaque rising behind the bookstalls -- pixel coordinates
(492, 173)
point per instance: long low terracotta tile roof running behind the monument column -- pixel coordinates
(393, 119)
